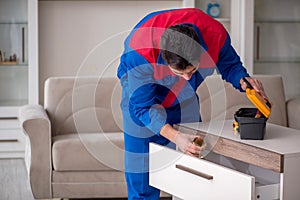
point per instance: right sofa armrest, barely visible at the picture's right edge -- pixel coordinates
(293, 110)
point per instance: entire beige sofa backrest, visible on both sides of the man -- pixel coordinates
(90, 105)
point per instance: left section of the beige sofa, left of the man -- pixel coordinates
(75, 140)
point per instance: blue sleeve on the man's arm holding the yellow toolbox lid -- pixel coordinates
(230, 65)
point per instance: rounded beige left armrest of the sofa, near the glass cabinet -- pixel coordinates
(36, 126)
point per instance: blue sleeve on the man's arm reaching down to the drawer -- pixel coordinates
(141, 90)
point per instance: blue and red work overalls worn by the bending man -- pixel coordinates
(153, 96)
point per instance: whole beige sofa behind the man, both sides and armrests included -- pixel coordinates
(76, 142)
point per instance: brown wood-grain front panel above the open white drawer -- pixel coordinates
(242, 152)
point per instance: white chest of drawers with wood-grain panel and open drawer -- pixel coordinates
(233, 169)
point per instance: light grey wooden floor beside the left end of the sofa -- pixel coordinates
(14, 183)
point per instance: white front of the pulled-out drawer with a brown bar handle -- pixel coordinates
(191, 178)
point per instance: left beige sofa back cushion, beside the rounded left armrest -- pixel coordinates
(83, 105)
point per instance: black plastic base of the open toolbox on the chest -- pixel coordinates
(250, 127)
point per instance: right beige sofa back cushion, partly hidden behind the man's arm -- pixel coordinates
(219, 100)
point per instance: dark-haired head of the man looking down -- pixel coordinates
(180, 48)
